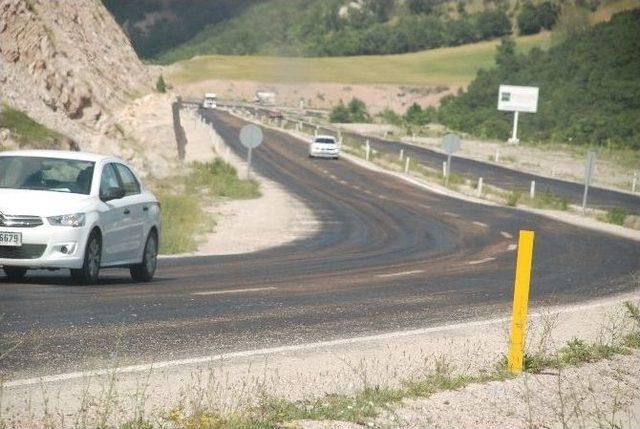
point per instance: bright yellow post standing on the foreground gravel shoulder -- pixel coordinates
(520, 301)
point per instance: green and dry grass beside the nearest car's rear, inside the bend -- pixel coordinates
(186, 202)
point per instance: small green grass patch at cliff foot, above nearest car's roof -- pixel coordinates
(25, 130)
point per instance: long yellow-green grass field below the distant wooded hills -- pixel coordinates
(444, 66)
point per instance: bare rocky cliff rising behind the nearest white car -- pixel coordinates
(68, 65)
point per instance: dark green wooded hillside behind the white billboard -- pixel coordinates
(589, 89)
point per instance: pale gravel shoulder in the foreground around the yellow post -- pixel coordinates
(344, 366)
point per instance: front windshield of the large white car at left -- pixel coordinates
(46, 174)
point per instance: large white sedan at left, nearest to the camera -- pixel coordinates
(77, 211)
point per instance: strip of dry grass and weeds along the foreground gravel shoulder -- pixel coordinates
(374, 401)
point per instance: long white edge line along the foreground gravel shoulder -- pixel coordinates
(144, 368)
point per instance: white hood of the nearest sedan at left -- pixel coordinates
(42, 203)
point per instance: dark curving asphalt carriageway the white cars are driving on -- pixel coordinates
(389, 257)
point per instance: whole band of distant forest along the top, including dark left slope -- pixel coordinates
(172, 30)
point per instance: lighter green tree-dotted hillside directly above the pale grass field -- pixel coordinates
(339, 28)
